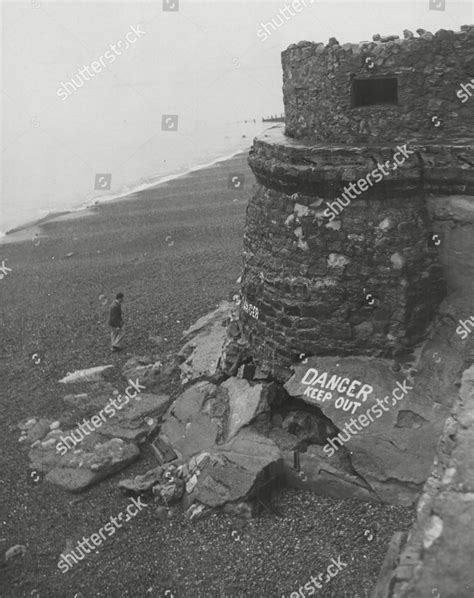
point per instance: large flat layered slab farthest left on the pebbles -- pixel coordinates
(76, 462)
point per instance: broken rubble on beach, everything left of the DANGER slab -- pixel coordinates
(208, 454)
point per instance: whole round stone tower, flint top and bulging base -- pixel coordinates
(340, 254)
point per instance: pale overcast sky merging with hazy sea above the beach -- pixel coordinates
(204, 63)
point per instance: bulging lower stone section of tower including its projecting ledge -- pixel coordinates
(363, 278)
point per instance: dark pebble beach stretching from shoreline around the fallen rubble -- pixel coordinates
(175, 253)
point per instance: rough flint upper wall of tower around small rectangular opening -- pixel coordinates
(430, 70)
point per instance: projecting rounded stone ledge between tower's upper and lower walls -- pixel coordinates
(289, 165)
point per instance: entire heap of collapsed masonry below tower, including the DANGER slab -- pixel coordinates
(220, 445)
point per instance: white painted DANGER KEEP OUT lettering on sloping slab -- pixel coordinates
(324, 387)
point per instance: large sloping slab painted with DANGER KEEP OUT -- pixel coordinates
(392, 450)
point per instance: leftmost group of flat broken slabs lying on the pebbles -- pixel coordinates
(75, 455)
